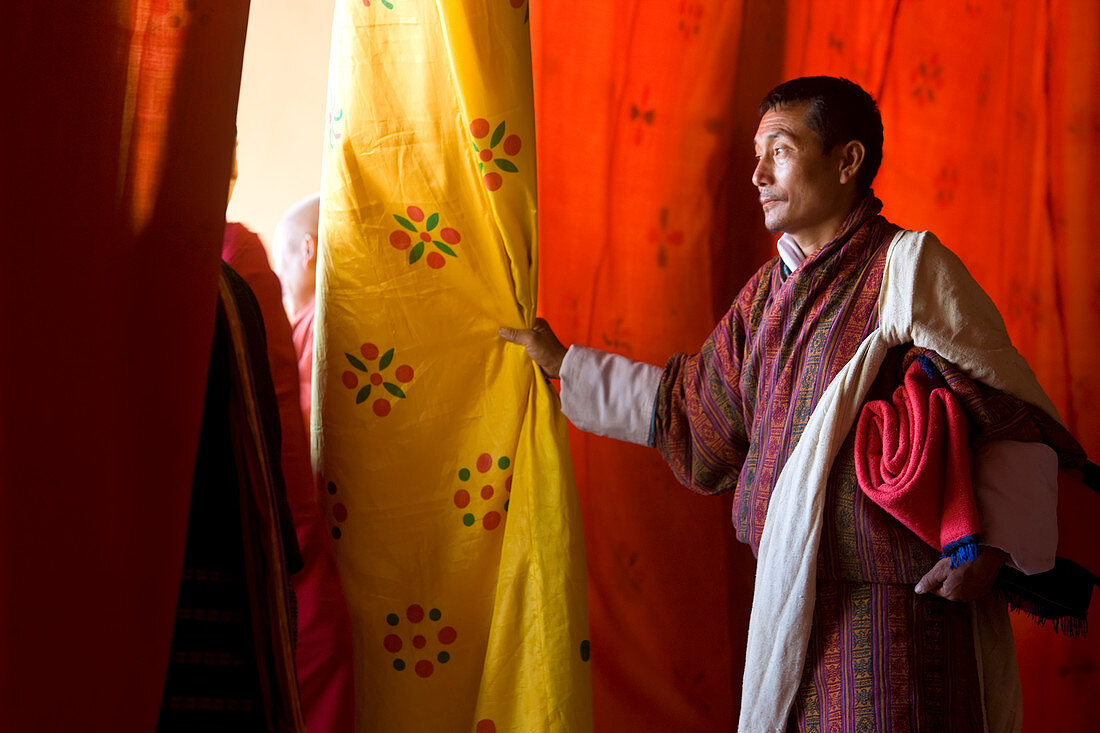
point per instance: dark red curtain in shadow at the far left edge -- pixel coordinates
(118, 134)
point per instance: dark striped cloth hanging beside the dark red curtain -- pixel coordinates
(232, 666)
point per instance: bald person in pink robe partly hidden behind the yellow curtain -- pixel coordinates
(295, 250)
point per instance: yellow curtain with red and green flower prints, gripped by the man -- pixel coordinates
(444, 457)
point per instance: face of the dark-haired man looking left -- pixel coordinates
(800, 185)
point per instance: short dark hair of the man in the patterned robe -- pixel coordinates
(840, 112)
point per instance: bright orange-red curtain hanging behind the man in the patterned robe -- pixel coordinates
(650, 225)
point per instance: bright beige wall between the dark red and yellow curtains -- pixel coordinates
(281, 116)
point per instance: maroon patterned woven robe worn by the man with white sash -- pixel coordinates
(881, 658)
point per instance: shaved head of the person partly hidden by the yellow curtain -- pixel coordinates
(295, 254)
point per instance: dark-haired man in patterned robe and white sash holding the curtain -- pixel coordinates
(838, 638)
